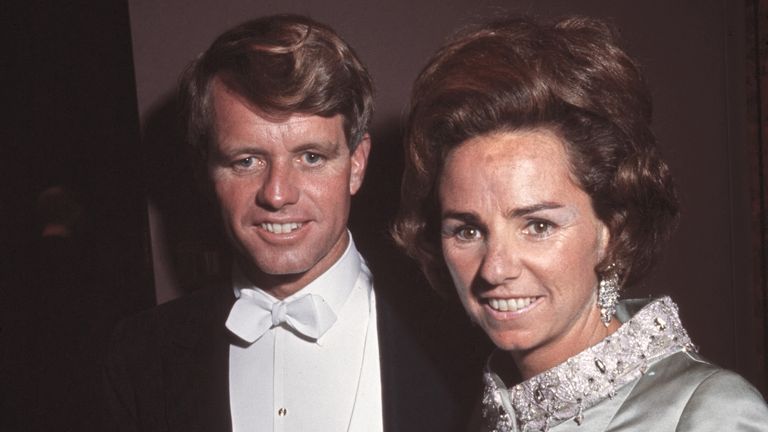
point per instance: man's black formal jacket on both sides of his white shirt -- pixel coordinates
(167, 370)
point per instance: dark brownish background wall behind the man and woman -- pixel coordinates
(89, 103)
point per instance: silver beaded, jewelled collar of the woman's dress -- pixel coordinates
(582, 381)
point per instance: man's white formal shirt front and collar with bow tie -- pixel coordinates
(285, 380)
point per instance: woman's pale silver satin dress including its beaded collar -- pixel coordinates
(646, 376)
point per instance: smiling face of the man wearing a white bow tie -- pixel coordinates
(284, 188)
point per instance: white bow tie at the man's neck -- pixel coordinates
(253, 314)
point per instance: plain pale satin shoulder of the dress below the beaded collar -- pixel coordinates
(679, 393)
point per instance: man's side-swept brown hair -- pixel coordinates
(283, 64)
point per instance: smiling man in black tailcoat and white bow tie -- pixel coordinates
(298, 339)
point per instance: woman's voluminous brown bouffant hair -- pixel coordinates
(569, 77)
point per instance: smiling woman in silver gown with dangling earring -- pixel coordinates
(534, 185)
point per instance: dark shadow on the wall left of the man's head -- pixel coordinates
(184, 226)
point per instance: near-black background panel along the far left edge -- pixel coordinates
(69, 118)
